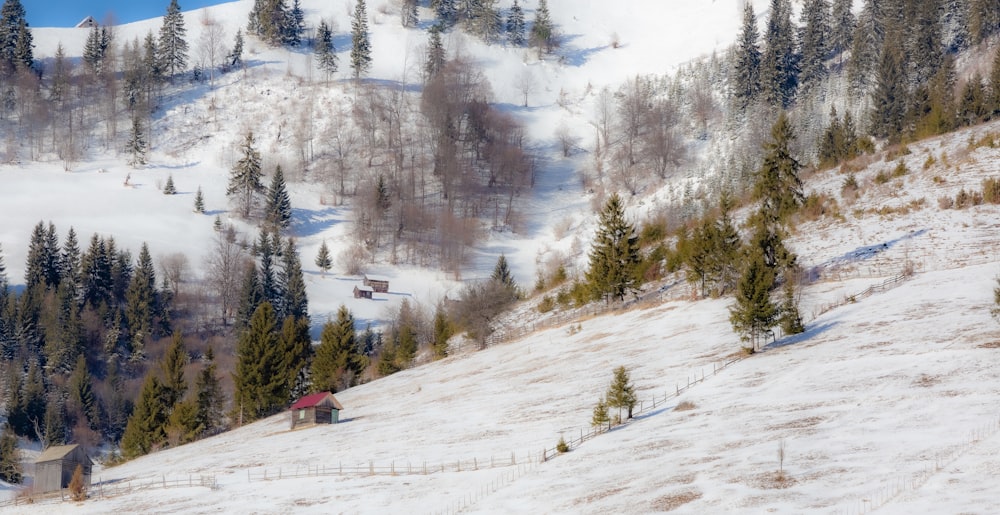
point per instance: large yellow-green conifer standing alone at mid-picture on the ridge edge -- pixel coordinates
(615, 254)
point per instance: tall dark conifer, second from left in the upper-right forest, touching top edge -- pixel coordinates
(779, 64)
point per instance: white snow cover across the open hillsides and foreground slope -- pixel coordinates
(888, 402)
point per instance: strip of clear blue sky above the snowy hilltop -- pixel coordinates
(67, 13)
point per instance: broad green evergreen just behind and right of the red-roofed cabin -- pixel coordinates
(336, 362)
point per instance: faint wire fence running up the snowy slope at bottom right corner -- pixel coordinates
(900, 485)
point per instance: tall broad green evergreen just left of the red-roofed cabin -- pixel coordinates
(260, 382)
